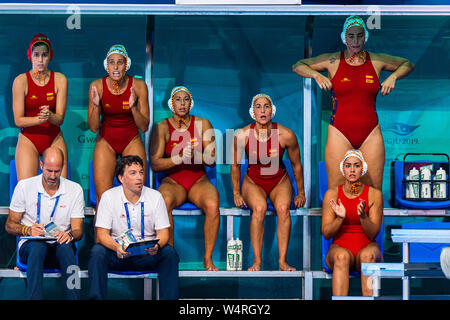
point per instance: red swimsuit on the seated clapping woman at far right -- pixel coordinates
(351, 235)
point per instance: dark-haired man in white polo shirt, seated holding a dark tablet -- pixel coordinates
(132, 206)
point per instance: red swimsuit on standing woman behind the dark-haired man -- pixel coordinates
(118, 127)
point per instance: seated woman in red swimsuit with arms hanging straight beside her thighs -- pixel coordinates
(264, 143)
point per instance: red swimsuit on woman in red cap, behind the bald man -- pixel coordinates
(42, 135)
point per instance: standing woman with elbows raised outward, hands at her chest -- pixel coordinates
(353, 77)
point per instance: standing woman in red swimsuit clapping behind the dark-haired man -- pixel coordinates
(118, 106)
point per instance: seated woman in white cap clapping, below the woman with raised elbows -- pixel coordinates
(352, 214)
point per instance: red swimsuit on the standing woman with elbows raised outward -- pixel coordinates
(354, 93)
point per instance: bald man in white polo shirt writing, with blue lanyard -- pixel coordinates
(36, 202)
